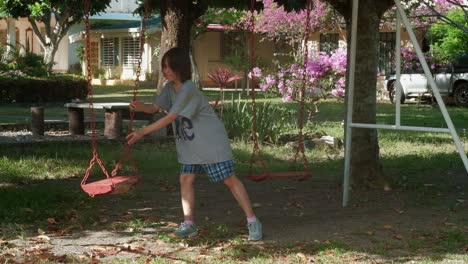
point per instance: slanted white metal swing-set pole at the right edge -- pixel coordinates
(431, 81)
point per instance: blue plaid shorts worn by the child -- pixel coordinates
(216, 171)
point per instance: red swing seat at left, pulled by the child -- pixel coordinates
(111, 185)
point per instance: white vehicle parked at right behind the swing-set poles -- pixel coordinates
(451, 81)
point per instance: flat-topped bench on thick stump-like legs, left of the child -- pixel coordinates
(114, 115)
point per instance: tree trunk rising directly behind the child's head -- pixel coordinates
(176, 29)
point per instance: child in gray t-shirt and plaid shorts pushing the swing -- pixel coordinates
(201, 140)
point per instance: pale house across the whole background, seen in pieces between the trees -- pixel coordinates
(114, 43)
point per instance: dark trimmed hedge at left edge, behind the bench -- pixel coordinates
(57, 89)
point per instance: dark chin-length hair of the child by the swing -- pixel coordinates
(179, 61)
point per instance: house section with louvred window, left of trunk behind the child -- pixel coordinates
(114, 42)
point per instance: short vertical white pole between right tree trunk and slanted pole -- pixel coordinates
(397, 87)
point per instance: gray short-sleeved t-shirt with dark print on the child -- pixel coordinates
(200, 135)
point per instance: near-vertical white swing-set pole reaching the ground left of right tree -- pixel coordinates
(349, 113)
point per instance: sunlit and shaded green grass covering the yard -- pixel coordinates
(410, 159)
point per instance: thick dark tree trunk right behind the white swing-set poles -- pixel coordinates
(366, 168)
